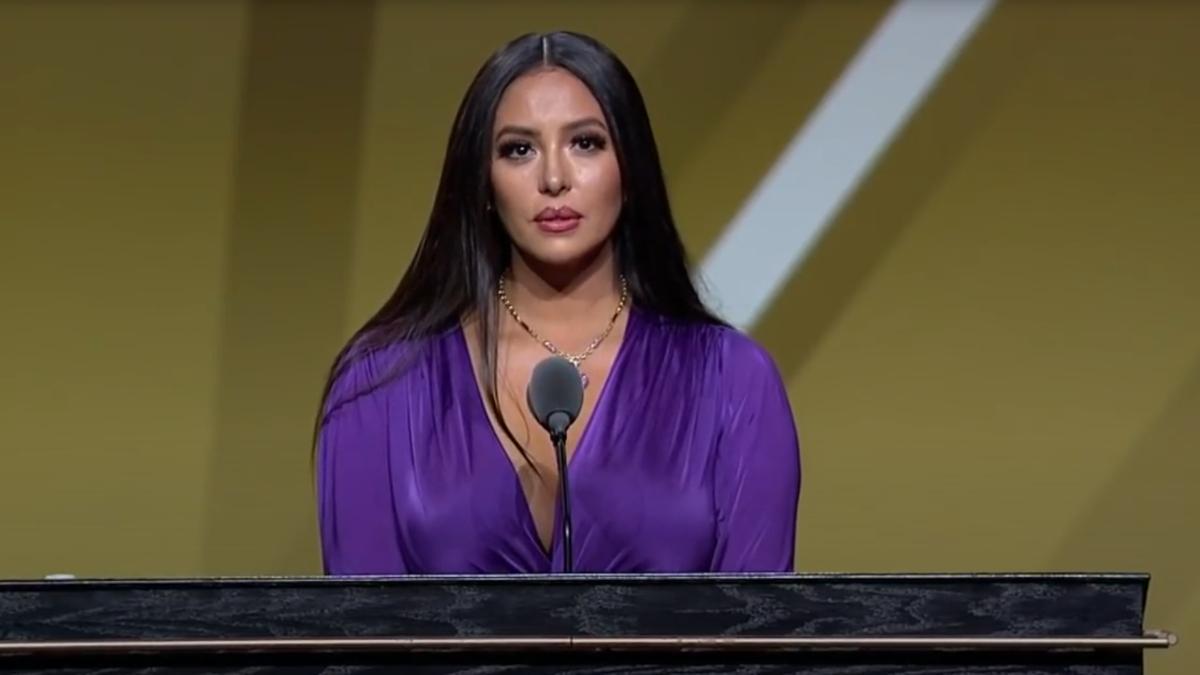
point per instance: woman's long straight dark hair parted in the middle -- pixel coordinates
(466, 249)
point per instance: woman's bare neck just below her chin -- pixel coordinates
(566, 302)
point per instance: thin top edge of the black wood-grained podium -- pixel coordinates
(578, 578)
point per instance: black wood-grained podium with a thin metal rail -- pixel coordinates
(862, 624)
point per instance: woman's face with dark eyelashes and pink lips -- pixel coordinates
(555, 176)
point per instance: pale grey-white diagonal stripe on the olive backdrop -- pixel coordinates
(833, 152)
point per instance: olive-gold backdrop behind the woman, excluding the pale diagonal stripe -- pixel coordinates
(994, 353)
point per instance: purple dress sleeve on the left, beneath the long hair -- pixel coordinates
(355, 485)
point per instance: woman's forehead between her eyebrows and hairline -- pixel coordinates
(547, 98)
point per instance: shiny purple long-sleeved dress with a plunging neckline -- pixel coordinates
(691, 463)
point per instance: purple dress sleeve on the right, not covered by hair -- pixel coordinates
(758, 470)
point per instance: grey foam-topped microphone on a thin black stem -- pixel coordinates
(555, 397)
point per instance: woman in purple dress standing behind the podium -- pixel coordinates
(551, 235)
